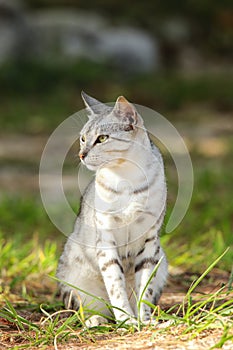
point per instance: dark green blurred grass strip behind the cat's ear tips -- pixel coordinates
(44, 93)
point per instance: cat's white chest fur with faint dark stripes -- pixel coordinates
(128, 201)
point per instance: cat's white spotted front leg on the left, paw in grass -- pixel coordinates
(113, 275)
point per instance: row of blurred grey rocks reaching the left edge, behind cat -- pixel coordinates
(63, 35)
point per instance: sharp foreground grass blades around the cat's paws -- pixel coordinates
(191, 318)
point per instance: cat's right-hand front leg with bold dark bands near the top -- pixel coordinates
(150, 256)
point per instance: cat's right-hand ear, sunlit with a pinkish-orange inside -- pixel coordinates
(126, 111)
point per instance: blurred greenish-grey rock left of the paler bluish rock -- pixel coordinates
(63, 33)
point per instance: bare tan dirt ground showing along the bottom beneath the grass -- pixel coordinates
(157, 336)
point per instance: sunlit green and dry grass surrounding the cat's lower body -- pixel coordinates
(31, 314)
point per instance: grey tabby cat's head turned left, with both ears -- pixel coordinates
(109, 133)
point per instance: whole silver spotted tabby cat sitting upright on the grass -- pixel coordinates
(115, 244)
